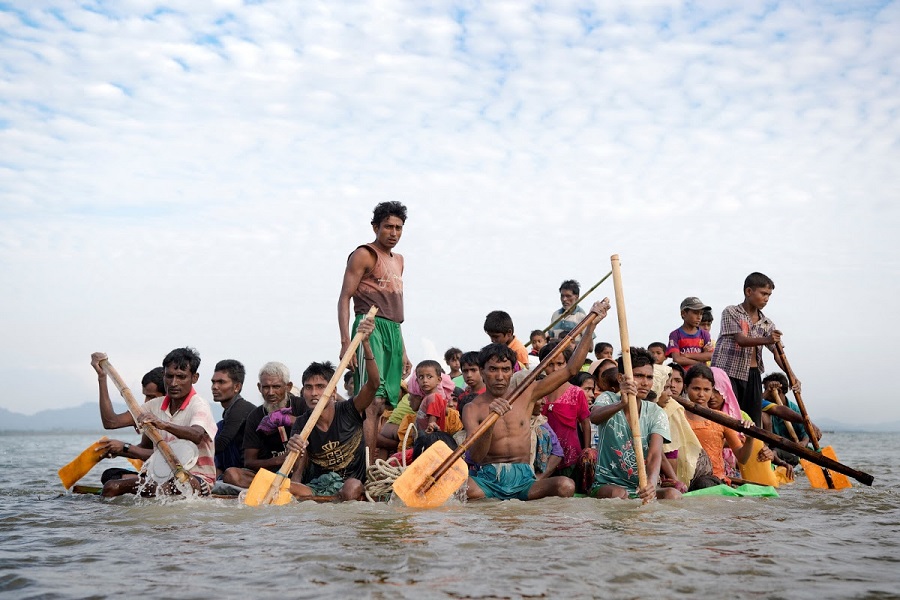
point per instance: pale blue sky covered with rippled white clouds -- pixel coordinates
(197, 174)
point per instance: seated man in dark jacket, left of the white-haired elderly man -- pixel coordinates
(227, 382)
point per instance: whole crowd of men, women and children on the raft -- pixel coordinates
(566, 432)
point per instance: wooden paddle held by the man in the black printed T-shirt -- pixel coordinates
(273, 488)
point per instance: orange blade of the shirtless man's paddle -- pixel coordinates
(408, 486)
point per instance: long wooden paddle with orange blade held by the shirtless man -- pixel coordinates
(438, 472)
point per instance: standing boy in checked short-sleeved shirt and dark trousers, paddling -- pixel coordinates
(744, 330)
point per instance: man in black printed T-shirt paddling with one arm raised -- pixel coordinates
(333, 458)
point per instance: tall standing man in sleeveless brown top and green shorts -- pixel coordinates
(374, 277)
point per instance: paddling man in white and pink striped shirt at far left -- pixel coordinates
(179, 415)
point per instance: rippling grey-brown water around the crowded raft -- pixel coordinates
(805, 544)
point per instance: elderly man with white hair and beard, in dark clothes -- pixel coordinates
(268, 426)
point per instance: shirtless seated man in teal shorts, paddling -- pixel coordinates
(503, 453)
